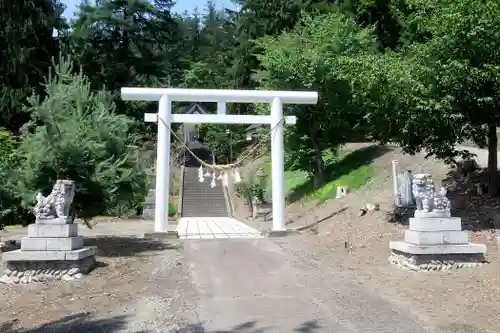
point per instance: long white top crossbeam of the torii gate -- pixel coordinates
(218, 95)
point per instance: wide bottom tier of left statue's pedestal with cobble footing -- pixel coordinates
(41, 266)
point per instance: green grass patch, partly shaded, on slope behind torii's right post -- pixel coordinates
(352, 169)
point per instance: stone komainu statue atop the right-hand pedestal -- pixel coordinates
(427, 198)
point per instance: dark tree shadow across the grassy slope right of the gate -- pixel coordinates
(352, 161)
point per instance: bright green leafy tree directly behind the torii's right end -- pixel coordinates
(317, 56)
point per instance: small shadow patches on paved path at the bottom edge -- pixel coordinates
(310, 326)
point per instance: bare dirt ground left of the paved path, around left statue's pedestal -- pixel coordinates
(100, 302)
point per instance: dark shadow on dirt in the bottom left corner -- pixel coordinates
(78, 323)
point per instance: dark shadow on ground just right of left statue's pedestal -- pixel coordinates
(116, 246)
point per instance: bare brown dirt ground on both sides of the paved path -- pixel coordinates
(461, 301)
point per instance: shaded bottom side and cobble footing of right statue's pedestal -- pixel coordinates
(436, 262)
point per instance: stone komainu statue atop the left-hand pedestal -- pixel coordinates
(56, 206)
